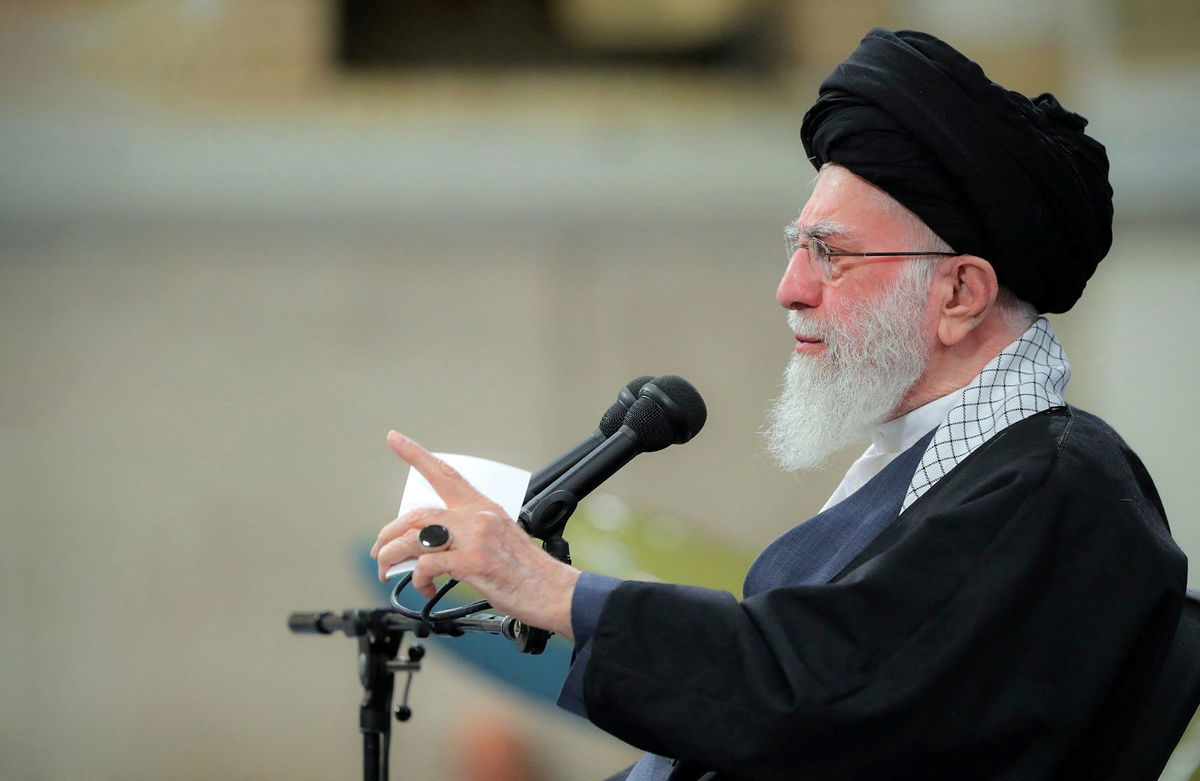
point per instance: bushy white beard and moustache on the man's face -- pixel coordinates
(872, 361)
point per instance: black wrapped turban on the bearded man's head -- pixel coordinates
(995, 175)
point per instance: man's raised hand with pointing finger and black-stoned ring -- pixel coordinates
(488, 550)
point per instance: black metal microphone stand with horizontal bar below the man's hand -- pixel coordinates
(381, 634)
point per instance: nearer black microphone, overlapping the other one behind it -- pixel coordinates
(668, 411)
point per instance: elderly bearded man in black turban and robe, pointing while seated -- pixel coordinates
(992, 587)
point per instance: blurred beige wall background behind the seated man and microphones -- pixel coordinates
(241, 241)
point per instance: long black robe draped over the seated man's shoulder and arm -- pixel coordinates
(1005, 627)
